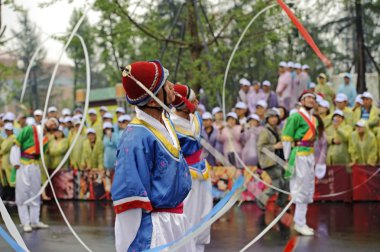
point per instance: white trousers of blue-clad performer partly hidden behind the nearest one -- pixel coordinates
(197, 205)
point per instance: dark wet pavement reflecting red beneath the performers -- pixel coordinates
(339, 227)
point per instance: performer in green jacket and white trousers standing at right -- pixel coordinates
(300, 129)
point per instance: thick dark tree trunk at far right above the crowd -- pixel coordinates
(360, 58)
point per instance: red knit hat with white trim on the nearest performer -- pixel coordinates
(150, 73)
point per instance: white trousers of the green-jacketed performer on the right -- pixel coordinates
(302, 187)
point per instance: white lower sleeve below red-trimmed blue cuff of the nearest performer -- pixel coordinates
(126, 226)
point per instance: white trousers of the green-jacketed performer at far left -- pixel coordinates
(28, 183)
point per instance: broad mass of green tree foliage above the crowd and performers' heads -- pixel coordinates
(197, 47)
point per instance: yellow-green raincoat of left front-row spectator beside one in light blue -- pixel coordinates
(92, 157)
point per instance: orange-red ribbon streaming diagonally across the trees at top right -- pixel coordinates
(305, 34)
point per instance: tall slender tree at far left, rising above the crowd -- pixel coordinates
(27, 41)
